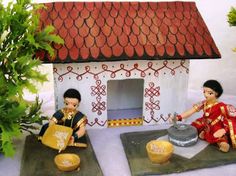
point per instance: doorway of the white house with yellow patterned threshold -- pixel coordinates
(125, 102)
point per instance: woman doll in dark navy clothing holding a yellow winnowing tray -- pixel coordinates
(70, 117)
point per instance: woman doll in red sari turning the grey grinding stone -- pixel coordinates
(218, 122)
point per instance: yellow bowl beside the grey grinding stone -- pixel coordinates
(159, 151)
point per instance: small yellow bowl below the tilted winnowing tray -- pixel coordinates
(67, 161)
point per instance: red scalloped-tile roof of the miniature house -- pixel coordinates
(97, 31)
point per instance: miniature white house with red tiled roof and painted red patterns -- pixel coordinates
(129, 60)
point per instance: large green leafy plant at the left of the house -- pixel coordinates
(20, 39)
